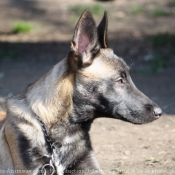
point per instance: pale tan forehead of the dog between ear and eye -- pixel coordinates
(105, 64)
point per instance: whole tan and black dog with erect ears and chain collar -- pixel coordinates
(46, 129)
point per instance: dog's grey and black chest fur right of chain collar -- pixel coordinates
(71, 143)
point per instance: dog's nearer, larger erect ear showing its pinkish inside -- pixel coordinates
(84, 44)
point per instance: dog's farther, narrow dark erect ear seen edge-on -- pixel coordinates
(102, 31)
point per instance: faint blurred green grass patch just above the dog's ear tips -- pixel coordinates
(94, 9)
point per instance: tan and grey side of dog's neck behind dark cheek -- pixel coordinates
(51, 97)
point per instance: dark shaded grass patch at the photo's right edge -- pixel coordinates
(163, 51)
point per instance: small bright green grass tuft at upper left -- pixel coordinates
(22, 27)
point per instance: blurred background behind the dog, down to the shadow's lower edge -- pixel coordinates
(35, 34)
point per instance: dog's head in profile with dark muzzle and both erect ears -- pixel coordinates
(103, 85)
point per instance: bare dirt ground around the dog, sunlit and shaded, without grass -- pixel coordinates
(121, 148)
